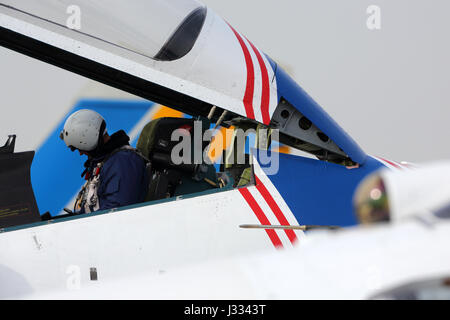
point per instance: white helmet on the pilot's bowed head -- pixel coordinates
(83, 129)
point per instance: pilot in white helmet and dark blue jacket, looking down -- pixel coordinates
(117, 174)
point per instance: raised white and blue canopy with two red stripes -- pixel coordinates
(177, 53)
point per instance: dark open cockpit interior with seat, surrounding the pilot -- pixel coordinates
(180, 151)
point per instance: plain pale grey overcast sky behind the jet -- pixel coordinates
(388, 88)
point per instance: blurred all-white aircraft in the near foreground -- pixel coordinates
(400, 252)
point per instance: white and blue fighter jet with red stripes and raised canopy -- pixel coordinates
(185, 57)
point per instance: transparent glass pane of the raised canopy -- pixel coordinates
(143, 27)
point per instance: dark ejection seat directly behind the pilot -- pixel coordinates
(169, 179)
